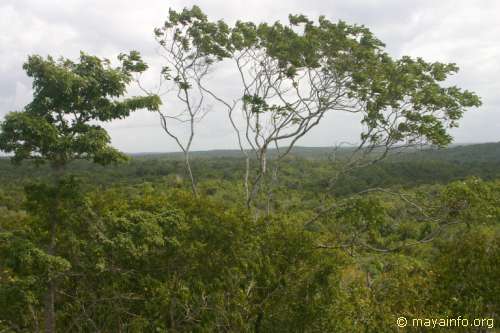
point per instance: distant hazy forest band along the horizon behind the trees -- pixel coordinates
(313, 166)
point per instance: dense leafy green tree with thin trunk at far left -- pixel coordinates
(58, 125)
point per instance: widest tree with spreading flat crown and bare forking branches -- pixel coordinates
(292, 75)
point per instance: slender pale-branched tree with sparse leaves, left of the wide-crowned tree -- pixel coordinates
(188, 47)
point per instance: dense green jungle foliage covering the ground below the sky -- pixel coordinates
(137, 253)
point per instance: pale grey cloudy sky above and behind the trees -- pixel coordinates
(462, 31)
